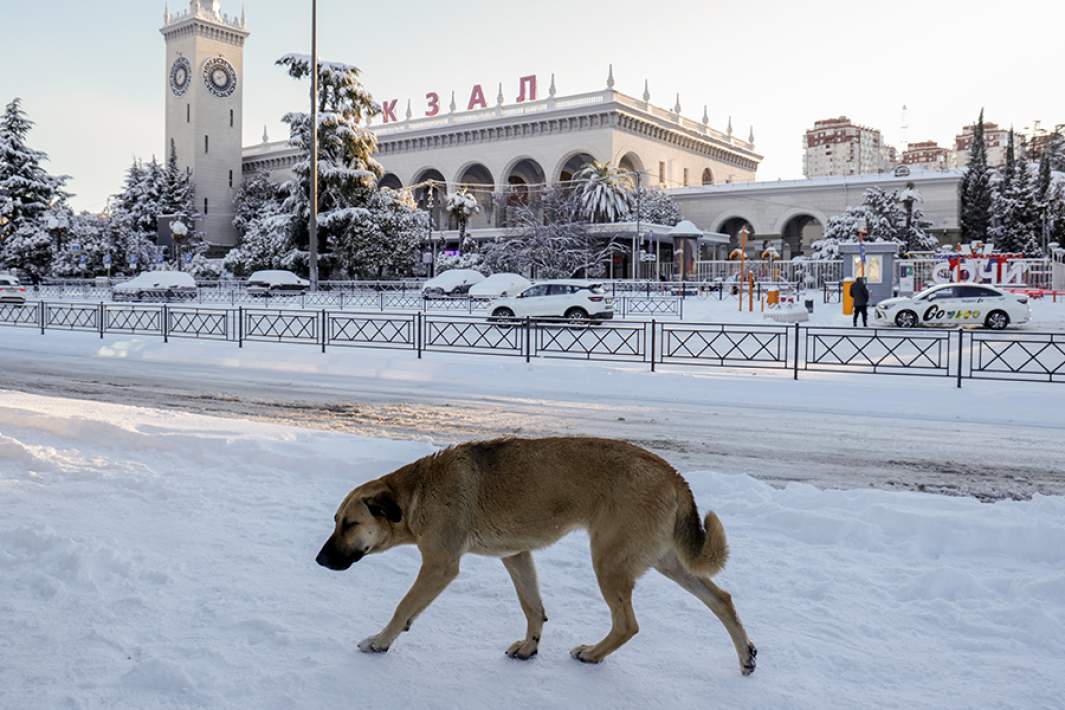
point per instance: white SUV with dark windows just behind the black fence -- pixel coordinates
(574, 301)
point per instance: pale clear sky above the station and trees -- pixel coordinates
(92, 73)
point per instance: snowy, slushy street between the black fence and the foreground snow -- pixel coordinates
(989, 440)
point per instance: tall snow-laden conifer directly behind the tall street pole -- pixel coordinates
(348, 171)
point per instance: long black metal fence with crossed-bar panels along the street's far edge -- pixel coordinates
(1013, 356)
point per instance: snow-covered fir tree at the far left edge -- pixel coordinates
(29, 195)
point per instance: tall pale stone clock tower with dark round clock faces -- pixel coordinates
(205, 91)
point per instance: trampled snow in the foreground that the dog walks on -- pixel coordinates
(160, 560)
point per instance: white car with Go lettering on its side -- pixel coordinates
(956, 305)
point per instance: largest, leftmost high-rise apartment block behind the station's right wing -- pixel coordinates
(840, 147)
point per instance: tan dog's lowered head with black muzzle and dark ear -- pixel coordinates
(363, 525)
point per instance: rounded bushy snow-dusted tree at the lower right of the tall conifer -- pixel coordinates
(380, 238)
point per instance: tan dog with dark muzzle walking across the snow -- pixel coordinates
(509, 498)
